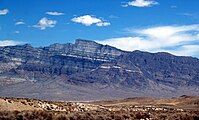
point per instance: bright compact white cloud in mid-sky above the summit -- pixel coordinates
(89, 20)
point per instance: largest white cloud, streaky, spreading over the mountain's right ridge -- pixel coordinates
(179, 40)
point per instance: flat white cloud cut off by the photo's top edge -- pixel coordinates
(141, 3)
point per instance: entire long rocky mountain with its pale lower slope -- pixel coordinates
(87, 70)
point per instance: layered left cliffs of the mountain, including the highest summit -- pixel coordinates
(58, 59)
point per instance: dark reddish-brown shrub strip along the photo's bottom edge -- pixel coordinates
(98, 115)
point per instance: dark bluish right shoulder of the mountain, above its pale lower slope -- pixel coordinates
(141, 69)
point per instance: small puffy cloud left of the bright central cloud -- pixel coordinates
(44, 23)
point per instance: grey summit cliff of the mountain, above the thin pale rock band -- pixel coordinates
(85, 48)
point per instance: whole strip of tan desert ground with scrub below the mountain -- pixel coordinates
(102, 110)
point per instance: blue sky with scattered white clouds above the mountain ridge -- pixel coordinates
(148, 25)
